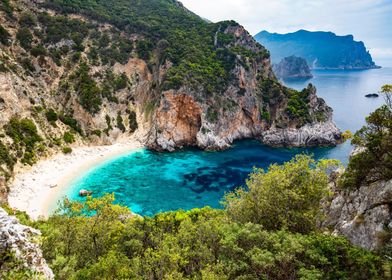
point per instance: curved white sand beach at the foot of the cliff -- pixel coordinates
(36, 188)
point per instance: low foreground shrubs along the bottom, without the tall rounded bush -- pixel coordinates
(99, 240)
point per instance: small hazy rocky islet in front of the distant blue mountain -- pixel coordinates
(292, 67)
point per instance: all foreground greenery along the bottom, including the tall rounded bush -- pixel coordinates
(97, 239)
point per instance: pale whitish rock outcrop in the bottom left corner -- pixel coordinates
(21, 241)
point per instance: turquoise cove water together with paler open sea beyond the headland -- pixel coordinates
(150, 182)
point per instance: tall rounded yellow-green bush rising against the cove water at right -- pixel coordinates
(286, 197)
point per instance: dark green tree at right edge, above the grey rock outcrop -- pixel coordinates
(374, 163)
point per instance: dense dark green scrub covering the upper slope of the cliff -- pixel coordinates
(170, 33)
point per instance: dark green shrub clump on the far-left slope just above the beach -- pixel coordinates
(25, 135)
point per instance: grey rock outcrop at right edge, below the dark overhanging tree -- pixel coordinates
(363, 215)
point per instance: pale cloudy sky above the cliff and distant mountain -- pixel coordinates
(369, 21)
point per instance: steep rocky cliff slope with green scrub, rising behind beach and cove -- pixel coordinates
(93, 72)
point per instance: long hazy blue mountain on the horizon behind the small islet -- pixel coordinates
(320, 49)
